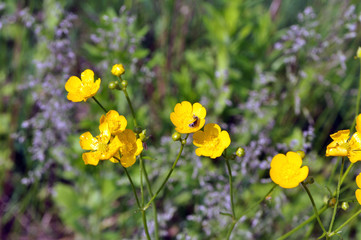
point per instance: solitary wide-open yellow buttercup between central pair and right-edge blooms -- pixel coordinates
(286, 170)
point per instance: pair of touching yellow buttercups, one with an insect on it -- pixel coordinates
(188, 118)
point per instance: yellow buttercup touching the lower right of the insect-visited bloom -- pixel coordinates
(212, 142)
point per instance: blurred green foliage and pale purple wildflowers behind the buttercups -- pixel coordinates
(277, 75)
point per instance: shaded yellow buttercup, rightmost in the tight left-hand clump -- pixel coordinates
(130, 148)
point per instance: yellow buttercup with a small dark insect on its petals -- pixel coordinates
(188, 118)
